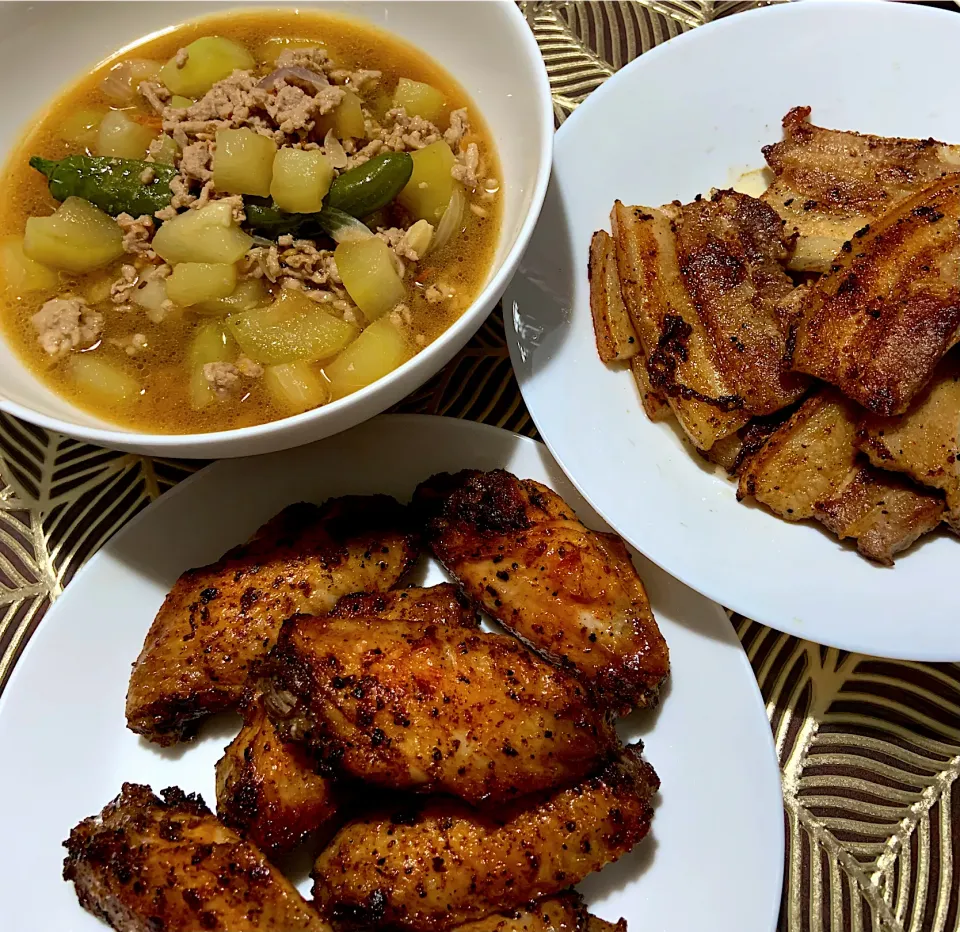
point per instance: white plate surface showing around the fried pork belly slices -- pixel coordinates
(687, 116)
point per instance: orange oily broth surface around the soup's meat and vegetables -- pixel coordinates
(163, 405)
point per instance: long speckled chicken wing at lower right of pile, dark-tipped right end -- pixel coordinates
(444, 863)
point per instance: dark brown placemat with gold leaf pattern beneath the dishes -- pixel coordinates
(869, 748)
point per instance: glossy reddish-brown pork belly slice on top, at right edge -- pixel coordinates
(879, 322)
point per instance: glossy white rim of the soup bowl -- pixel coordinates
(169, 443)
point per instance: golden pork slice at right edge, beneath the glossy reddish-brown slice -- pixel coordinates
(923, 443)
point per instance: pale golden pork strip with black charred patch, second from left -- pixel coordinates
(671, 333)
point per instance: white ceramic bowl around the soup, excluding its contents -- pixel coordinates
(487, 47)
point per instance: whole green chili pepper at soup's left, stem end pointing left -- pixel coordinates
(113, 185)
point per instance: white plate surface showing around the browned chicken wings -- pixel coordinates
(714, 857)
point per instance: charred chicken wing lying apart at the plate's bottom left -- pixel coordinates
(146, 864)
